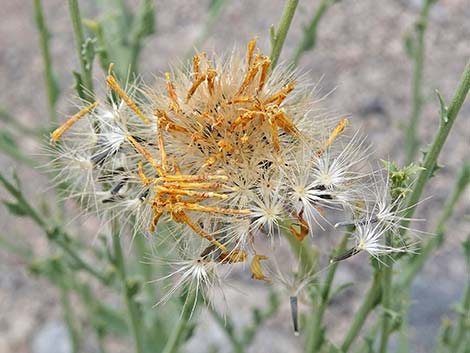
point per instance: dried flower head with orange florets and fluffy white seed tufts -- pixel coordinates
(231, 150)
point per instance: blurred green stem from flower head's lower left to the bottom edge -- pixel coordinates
(134, 317)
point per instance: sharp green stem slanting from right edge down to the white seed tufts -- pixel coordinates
(448, 117)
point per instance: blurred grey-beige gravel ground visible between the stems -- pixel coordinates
(359, 54)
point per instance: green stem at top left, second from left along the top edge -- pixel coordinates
(85, 68)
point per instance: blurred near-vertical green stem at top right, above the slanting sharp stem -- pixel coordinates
(412, 143)
